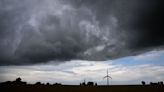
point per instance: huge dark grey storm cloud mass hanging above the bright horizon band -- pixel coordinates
(35, 31)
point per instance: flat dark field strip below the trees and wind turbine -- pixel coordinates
(67, 88)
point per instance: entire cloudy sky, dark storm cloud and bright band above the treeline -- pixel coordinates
(71, 40)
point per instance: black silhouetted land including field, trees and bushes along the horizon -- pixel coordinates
(20, 86)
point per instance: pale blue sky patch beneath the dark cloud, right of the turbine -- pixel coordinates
(153, 57)
